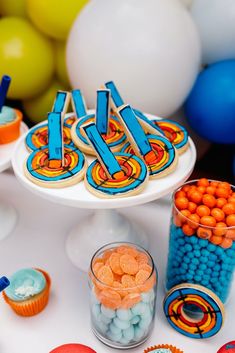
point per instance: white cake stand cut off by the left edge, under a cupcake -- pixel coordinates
(8, 215)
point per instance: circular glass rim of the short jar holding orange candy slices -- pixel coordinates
(112, 245)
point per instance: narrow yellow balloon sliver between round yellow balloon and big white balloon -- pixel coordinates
(60, 64)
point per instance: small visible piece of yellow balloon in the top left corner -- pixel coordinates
(13, 8)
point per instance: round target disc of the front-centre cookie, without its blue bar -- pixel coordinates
(132, 181)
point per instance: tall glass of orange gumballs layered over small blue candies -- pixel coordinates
(202, 236)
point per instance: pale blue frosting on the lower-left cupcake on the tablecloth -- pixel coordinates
(25, 284)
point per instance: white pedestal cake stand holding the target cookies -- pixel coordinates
(105, 225)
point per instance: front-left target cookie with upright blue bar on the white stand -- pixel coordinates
(55, 165)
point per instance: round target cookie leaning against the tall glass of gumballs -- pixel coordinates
(201, 298)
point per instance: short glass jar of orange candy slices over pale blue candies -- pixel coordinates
(123, 284)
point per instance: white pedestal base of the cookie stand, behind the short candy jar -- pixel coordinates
(101, 228)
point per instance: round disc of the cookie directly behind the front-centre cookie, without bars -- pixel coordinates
(114, 139)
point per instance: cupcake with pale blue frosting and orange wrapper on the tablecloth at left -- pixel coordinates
(28, 292)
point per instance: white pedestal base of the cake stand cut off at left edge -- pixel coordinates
(8, 218)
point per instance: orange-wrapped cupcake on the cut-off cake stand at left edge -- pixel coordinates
(10, 120)
